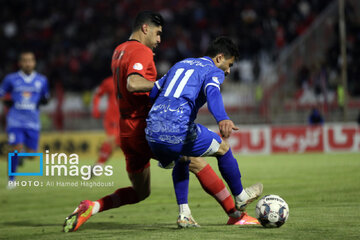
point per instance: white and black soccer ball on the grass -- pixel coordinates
(272, 211)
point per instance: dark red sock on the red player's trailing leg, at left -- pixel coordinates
(120, 197)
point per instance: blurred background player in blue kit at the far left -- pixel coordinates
(28, 90)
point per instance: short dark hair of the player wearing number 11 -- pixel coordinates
(223, 45)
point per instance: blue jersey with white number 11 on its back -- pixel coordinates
(180, 94)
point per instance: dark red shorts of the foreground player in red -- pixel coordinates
(137, 153)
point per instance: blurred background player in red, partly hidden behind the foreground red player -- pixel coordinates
(111, 118)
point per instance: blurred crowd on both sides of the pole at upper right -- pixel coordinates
(321, 82)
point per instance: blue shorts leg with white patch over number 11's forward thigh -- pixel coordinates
(207, 143)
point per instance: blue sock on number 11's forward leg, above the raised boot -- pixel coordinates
(230, 172)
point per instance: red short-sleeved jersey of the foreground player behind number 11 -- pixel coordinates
(132, 57)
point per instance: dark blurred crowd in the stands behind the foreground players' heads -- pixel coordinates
(74, 40)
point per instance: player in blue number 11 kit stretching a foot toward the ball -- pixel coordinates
(172, 133)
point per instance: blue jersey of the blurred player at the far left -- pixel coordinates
(26, 92)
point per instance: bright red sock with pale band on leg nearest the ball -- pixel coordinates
(214, 186)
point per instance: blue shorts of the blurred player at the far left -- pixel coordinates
(28, 137)
